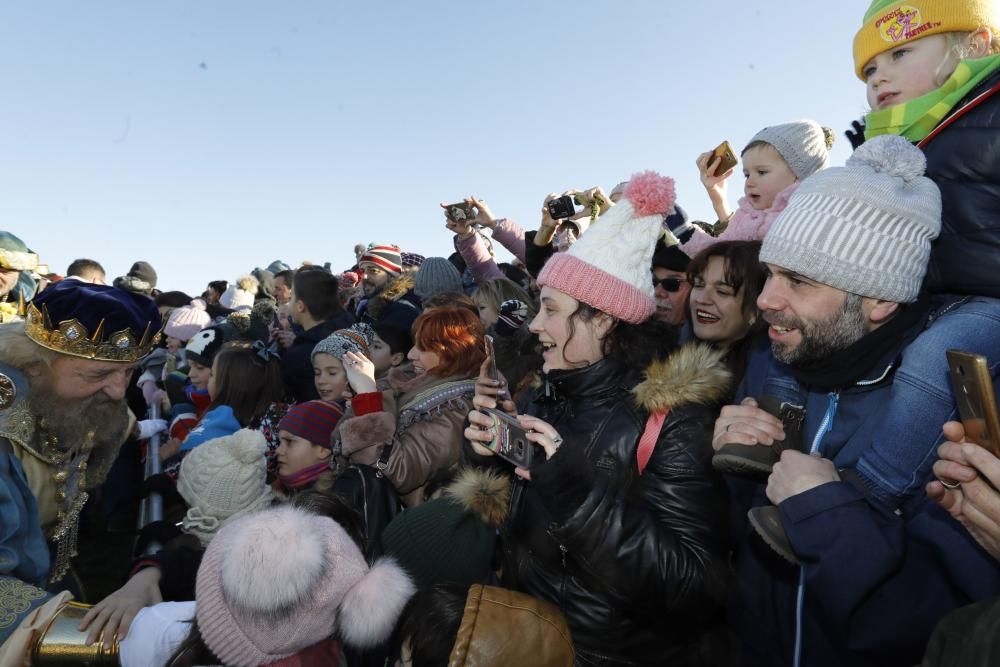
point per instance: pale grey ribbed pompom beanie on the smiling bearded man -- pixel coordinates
(864, 228)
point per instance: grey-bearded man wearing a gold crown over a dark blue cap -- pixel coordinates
(63, 417)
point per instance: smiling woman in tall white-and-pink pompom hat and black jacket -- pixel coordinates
(620, 520)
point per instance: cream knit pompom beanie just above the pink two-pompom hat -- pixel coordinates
(221, 479)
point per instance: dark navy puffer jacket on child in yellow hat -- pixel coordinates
(962, 160)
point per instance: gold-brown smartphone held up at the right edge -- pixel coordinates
(977, 404)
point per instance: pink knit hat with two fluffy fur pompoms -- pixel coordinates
(276, 582)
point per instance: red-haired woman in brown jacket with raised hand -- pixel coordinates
(420, 417)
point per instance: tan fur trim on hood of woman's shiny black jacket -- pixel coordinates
(694, 374)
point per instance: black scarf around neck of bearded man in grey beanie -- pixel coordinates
(848, 366)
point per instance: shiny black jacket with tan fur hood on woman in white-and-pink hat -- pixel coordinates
(636, 563)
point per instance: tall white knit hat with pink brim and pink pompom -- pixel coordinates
(608, 268)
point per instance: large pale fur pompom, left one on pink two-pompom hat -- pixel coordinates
(249, 579)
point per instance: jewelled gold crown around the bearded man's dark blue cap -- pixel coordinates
(71, 337)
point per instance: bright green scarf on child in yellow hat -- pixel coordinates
(918, 117)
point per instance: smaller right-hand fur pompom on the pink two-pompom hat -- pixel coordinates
(370, 610)
